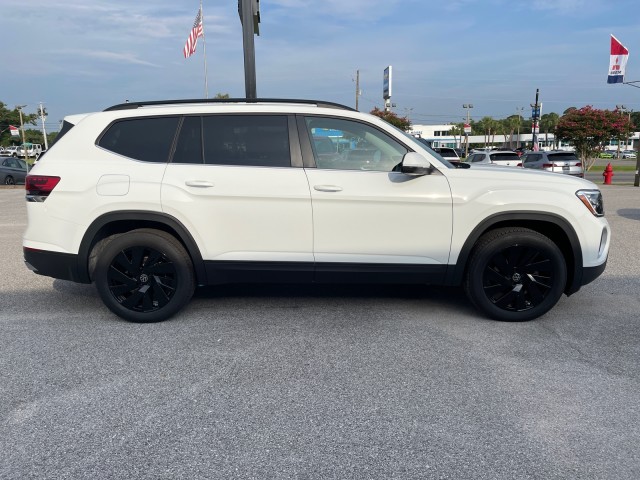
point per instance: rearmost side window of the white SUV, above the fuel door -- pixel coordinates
(146, 139)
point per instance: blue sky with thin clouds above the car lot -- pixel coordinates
(78, 56)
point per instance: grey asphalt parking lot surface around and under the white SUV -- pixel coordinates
(320, 382)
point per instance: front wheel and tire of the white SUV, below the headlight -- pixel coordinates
(515, 274)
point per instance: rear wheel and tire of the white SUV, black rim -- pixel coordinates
(144, 275)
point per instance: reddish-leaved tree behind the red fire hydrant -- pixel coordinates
(589, 128)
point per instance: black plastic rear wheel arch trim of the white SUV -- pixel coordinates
(124, 221)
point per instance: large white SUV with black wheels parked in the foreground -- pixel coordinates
(149, 200)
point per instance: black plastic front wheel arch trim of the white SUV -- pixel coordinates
(558, 229)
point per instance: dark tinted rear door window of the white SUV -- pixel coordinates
(252, 140)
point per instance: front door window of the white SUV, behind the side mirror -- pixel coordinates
(358, 146)
